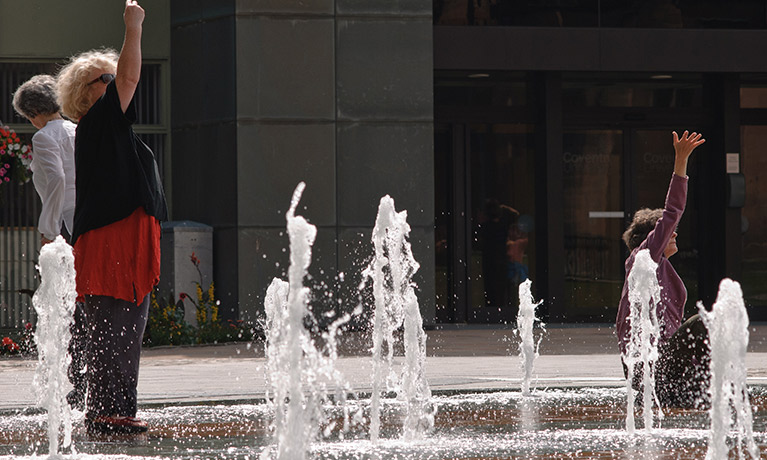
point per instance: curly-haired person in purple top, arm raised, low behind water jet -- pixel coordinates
(681, 372)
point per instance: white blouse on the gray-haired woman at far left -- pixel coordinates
(53, 173)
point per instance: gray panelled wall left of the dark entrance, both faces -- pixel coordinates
(337, 94)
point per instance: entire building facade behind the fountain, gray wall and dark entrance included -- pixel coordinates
(519, 136)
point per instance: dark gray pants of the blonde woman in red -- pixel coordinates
(115, 331)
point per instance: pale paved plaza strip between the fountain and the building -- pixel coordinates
(458, 359)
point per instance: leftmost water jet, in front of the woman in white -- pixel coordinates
(54, 303)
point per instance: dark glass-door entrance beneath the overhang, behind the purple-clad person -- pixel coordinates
(616, 156)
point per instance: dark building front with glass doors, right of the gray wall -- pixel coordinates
(555, 118)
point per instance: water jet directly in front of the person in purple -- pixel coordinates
(644, 294)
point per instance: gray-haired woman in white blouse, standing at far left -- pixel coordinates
(53, 174)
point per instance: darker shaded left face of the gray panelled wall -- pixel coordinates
(204, 131)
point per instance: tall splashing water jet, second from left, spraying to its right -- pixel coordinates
(299, 374)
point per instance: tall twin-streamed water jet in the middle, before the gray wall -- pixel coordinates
(396, 304)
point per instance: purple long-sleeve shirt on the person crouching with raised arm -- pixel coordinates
(673, 294)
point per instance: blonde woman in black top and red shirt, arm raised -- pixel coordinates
(116, 235)
